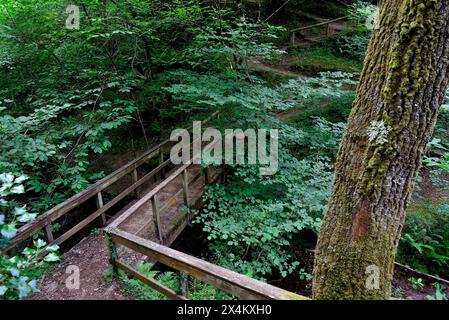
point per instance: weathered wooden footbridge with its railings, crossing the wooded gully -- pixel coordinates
(150, 211)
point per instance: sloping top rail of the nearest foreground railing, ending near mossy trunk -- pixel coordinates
(229, 281)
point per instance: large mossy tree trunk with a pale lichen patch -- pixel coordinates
(402, 87)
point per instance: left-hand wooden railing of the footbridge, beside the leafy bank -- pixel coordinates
(45, 220)
